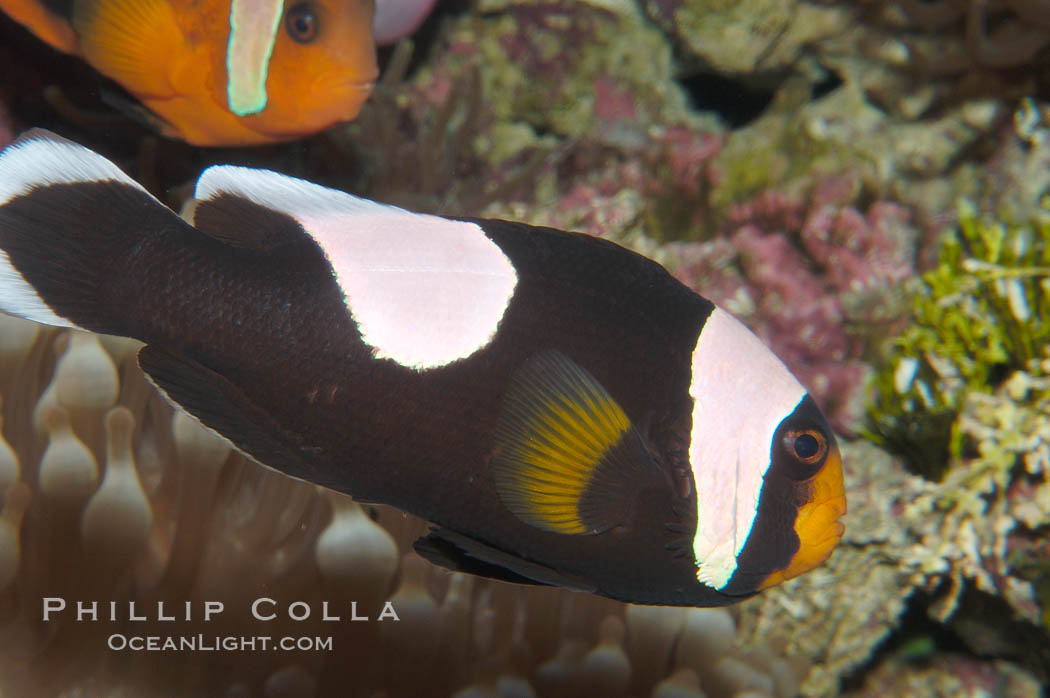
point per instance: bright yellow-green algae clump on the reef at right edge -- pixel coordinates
(980, 316)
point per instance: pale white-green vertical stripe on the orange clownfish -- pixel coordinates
(254, 32)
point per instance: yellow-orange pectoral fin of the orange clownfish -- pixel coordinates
(133, 41)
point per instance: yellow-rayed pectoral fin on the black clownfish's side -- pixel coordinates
(568, 459)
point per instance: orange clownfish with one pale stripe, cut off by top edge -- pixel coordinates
(222, 72)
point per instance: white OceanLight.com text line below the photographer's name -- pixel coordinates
(203, 643)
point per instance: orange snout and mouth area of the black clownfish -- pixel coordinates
(817, 523)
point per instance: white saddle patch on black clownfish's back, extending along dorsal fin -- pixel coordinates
(425, 291)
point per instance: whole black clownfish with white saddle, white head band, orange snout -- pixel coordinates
(561, 409)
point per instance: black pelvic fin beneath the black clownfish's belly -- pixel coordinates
(464, 554)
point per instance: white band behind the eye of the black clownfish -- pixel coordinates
(742, 392)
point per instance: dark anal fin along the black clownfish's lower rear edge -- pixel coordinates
(223, 408)
